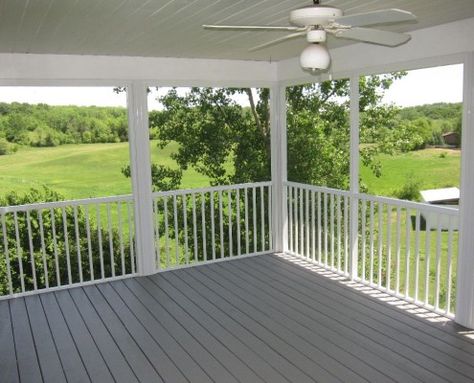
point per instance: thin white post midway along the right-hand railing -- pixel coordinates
(354, 176)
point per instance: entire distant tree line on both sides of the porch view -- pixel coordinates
(42, 125)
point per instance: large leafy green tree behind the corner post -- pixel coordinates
(231, 144)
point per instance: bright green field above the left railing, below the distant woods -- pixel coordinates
(80, 171)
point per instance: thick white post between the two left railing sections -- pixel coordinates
(140, 168)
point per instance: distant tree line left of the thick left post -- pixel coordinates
(44, 125)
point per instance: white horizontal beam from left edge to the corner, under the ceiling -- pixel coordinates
(35, 69)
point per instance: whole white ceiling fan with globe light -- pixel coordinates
(316, 21)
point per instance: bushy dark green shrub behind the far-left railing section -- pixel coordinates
(50, 248)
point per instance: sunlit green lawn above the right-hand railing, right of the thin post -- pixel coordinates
(433, 168)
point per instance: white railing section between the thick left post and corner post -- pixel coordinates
(211, 224)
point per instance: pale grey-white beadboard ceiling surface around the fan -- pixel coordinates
(172, 28)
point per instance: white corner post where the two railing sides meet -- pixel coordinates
(279, 168)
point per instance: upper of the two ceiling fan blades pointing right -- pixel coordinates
(383, 16)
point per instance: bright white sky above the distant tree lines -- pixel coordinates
(423, 86)
